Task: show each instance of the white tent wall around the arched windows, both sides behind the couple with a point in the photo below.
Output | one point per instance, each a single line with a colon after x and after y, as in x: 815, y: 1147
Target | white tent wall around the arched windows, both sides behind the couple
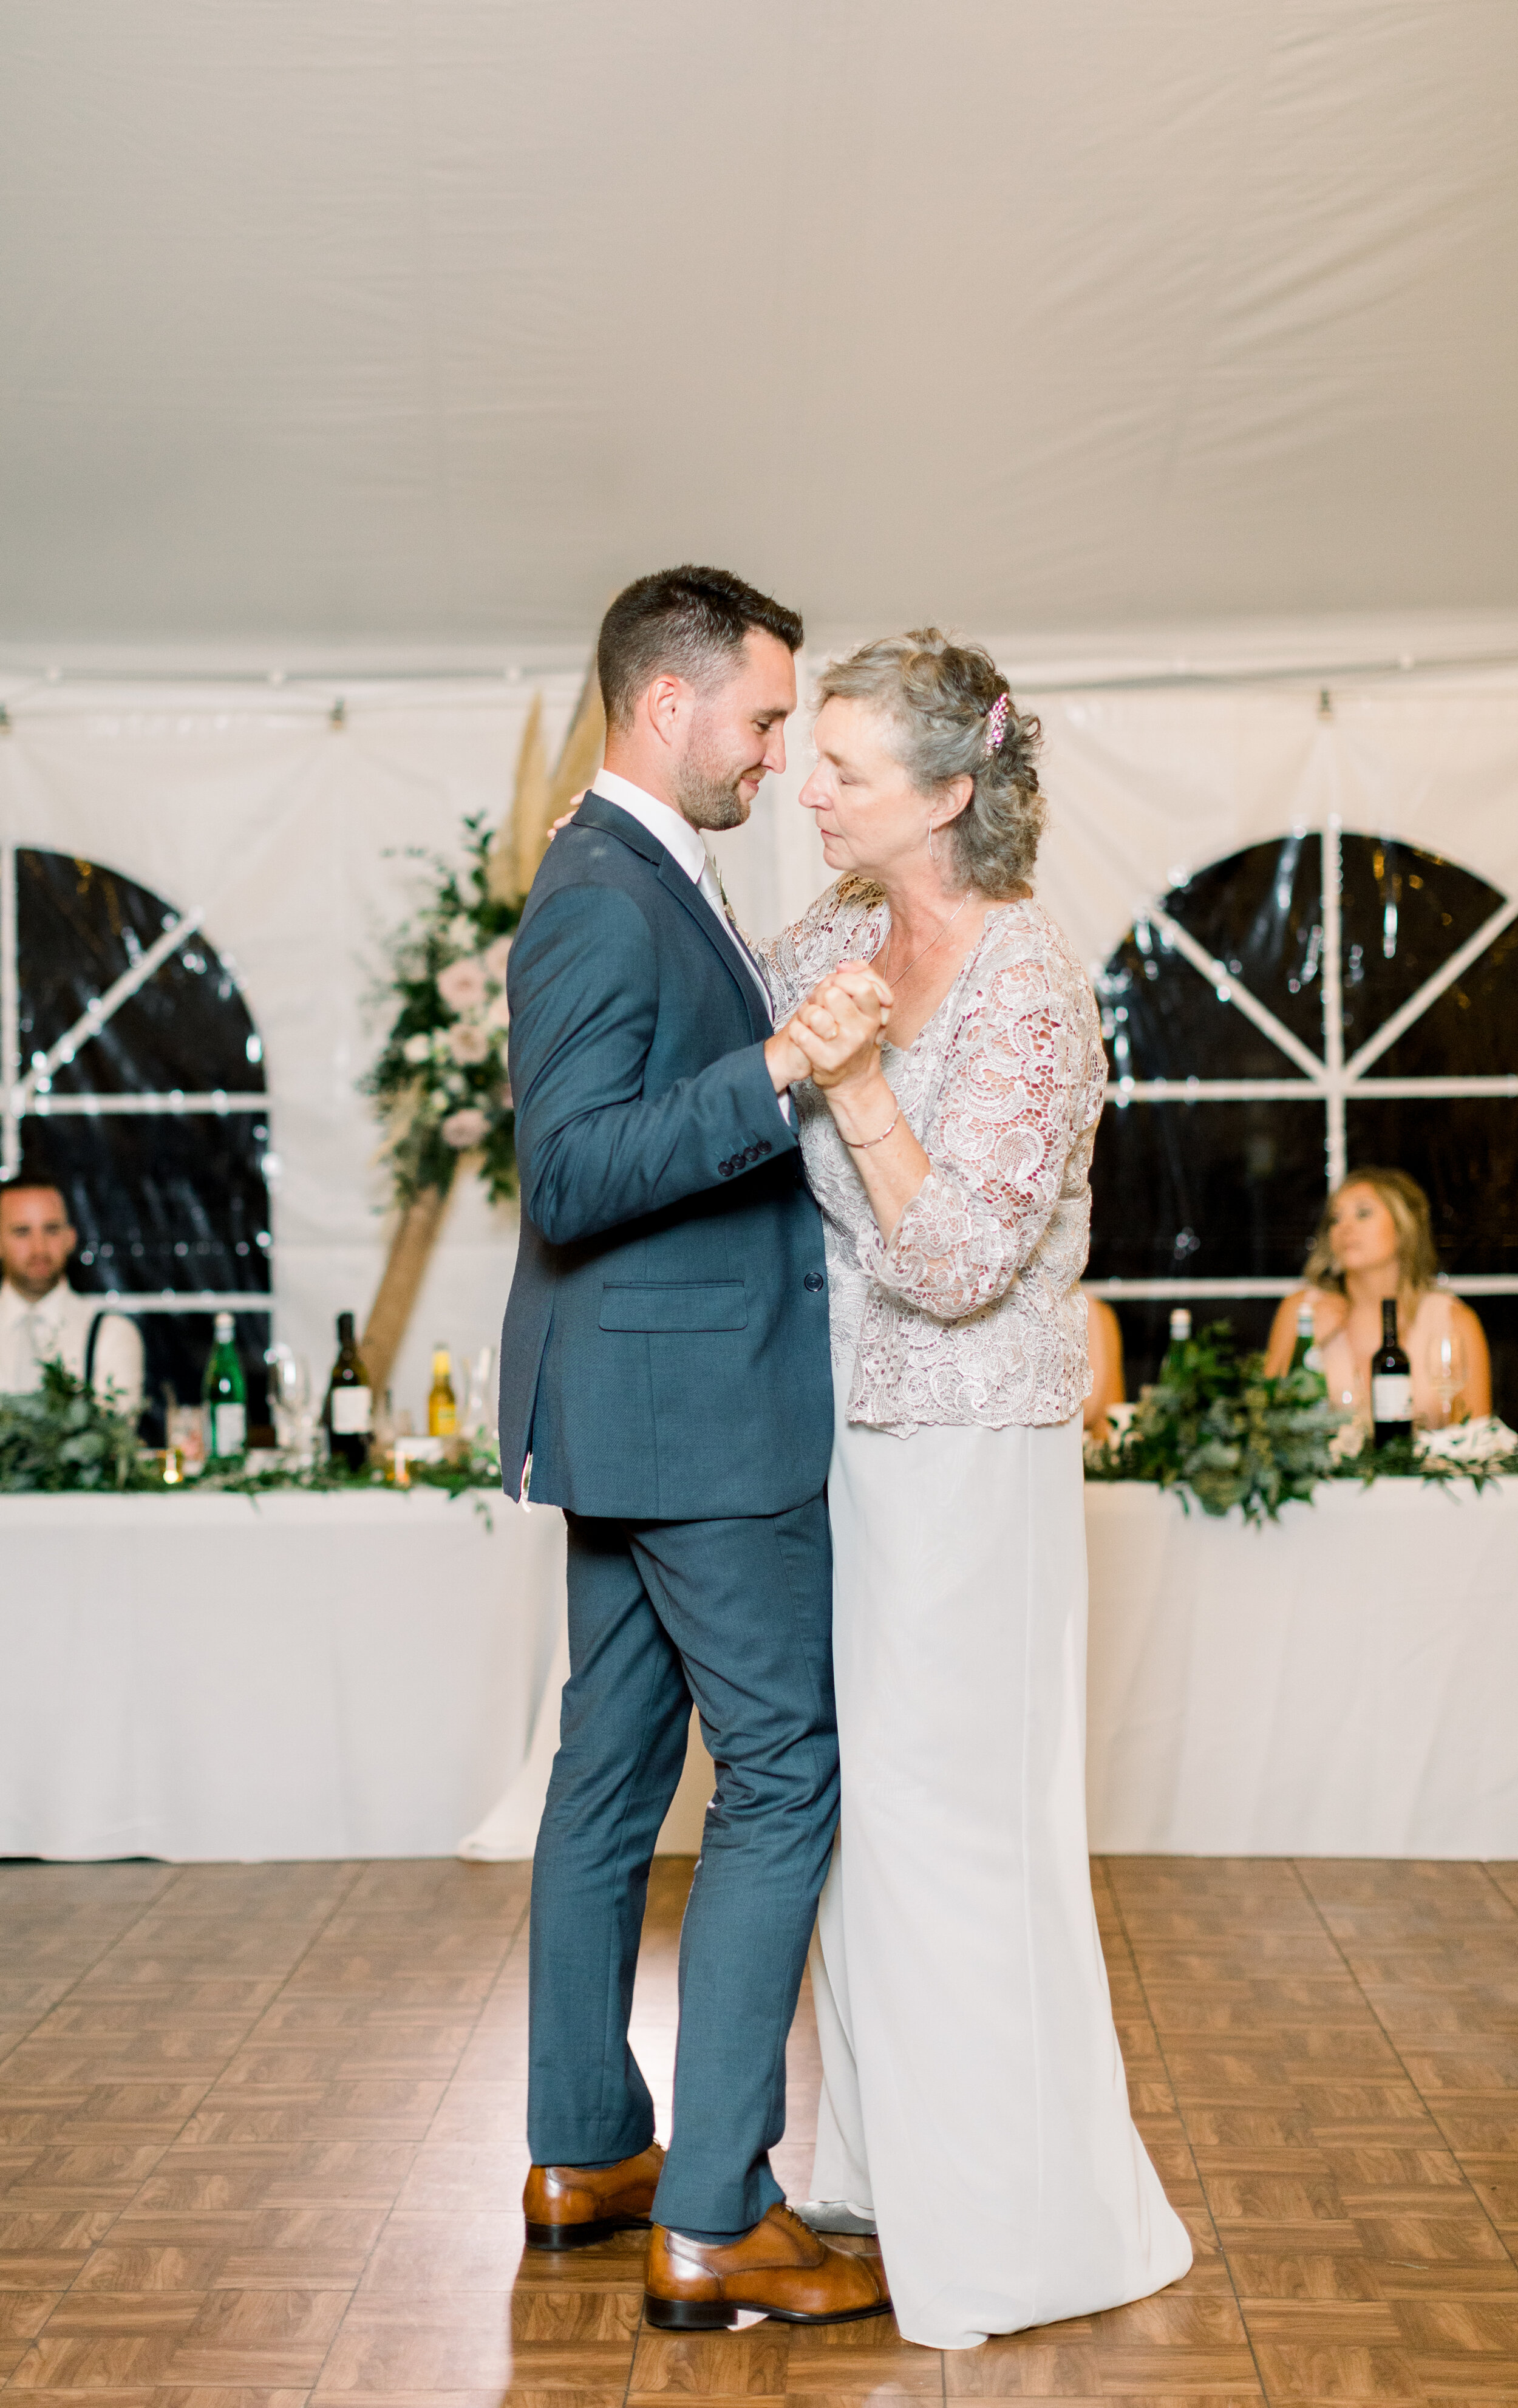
x: 290, y: 834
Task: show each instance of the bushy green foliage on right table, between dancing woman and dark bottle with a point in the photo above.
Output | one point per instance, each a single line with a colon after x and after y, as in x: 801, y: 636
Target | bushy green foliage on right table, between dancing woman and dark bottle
x: 1216, y: 1429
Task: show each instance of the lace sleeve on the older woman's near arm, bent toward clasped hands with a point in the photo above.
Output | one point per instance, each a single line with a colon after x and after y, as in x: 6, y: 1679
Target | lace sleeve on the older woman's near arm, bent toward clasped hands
x: 1020, y: 1102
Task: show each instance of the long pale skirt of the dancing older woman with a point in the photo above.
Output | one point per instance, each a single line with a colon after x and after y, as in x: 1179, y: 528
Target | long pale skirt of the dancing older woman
x: 972, y: 2077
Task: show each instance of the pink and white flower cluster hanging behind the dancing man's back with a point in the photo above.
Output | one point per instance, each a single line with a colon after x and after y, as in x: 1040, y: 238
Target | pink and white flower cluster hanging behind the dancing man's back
x: 442, y: 1073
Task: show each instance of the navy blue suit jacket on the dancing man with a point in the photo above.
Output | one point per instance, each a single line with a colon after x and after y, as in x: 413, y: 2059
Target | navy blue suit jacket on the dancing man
x: 666, y: 1345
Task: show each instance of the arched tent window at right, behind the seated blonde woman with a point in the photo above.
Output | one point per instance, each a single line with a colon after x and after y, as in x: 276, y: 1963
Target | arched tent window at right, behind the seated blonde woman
x: 1288, y: 1013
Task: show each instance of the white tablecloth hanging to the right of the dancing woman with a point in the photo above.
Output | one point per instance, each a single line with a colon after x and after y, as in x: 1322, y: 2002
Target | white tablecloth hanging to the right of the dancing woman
x: 1343, y: 1684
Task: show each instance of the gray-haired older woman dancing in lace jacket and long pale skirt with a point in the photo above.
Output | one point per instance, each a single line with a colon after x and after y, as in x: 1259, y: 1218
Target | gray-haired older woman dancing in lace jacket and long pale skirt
x: 975, y: 2099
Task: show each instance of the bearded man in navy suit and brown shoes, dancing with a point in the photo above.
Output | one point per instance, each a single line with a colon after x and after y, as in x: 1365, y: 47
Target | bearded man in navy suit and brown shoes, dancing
x: 666, y: 1381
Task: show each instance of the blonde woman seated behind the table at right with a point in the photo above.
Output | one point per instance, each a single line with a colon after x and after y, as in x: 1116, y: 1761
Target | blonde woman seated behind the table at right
x: 1377, y: 1241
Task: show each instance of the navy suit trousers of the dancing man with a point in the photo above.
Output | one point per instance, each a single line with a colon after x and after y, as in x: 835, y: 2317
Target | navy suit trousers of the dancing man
x: 739, y: 1617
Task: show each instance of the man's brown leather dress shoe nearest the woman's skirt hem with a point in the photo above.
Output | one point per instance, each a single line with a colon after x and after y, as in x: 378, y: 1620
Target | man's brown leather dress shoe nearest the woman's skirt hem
x: 779, y: 2270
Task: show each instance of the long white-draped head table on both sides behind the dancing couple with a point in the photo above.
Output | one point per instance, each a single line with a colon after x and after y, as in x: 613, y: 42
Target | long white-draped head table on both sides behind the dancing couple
x: 216, y: 1677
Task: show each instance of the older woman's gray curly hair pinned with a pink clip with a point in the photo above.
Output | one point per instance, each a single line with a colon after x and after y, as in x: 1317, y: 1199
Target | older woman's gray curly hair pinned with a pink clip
x: 939, y: 697
